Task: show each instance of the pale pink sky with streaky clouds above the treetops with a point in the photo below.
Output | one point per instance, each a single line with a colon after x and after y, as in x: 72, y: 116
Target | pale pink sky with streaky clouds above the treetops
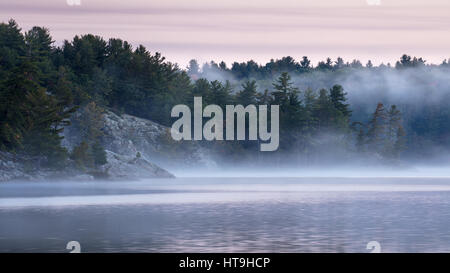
x: 240, y: 30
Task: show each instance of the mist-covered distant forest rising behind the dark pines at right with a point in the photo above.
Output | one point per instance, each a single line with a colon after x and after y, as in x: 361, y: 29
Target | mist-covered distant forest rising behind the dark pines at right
x: 419, y: 92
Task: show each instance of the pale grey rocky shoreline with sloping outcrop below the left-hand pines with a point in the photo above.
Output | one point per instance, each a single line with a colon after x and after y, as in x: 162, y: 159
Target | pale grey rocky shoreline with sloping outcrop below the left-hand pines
x: 136, y: 148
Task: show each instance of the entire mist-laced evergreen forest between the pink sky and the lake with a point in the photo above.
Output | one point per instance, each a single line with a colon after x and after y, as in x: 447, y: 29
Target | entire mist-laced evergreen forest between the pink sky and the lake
x: 330, y: 113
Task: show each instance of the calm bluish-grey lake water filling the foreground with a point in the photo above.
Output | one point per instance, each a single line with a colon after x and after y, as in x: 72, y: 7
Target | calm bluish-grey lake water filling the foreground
x: 227, y: 215
